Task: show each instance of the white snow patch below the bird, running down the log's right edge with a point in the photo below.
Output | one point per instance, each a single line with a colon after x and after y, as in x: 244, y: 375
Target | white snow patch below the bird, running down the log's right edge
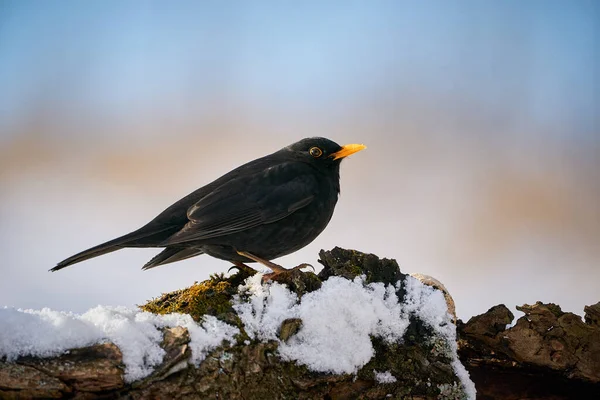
x: 339, y: 320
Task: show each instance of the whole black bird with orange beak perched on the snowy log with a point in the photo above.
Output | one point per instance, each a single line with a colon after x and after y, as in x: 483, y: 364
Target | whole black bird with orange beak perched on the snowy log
x: 260, y: 211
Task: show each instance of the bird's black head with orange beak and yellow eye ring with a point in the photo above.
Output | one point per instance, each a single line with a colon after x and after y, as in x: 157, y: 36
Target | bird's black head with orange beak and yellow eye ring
x: 322, y: 152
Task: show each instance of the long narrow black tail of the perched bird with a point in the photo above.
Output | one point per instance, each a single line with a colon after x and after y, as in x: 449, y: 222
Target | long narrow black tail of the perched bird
x: 139, y: 238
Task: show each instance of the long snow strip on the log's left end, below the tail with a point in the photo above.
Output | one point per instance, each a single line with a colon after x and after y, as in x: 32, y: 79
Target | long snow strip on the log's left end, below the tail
x: 46, y: 333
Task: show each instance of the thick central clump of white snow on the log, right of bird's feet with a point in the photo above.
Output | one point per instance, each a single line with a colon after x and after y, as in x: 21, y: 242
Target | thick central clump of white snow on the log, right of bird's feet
x: 338, y: 322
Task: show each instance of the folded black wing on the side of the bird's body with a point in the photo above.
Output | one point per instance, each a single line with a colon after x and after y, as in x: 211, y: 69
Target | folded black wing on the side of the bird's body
x: 249, y: 201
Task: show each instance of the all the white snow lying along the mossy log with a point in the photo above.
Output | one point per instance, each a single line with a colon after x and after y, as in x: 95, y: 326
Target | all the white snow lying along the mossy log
x: 338, y: 323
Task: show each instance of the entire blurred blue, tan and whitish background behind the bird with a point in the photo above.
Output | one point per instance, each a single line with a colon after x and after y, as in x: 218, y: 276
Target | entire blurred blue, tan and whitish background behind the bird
x: 481, y: 120
